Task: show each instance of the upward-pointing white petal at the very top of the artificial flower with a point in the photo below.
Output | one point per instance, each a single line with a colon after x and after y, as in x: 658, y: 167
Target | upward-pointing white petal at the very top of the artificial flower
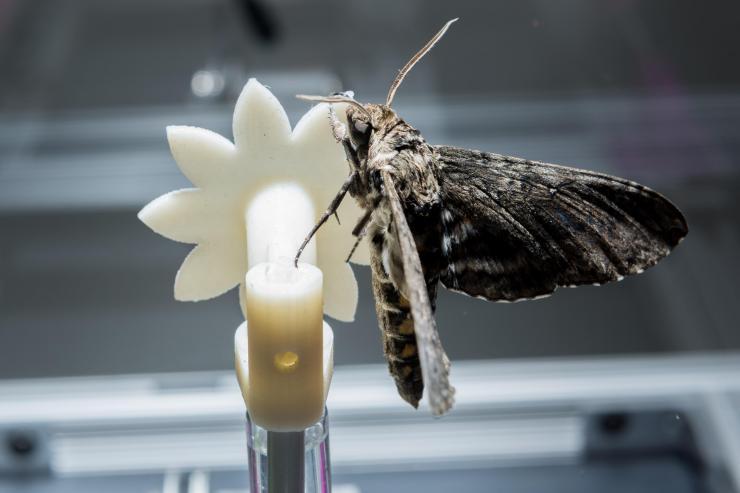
x: 260, y: 122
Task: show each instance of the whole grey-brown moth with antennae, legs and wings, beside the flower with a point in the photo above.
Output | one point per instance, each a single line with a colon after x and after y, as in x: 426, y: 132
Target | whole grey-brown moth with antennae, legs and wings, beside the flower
x: 496, y: 227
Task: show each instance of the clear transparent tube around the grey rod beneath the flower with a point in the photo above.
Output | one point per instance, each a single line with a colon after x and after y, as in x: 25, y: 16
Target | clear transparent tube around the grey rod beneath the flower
x: 274, y: 460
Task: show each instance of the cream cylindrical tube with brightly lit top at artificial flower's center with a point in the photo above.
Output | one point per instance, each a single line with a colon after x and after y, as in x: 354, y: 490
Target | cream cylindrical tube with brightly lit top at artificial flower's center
x: 284, y: 306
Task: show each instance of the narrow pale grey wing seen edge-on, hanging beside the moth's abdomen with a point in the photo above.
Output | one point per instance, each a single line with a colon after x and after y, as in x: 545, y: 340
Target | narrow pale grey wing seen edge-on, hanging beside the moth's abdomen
x: 434, y: 362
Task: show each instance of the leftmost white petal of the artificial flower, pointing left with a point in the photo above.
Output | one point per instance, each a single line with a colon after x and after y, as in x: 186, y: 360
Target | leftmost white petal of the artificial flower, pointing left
x: 181, y: 215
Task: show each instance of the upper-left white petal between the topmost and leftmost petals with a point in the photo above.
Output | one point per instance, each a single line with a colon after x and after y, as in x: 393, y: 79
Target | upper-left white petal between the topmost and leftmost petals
x: 203, y: 156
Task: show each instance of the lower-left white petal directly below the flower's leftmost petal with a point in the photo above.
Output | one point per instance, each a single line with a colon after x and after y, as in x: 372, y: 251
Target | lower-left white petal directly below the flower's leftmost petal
x: 210, y: 270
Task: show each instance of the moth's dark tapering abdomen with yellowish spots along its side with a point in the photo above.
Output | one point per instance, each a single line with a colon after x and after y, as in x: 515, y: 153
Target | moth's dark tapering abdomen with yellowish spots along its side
x: 397, y: 329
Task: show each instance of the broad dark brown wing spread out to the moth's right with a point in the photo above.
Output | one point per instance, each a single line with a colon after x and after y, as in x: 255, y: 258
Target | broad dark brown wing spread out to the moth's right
x: 517, y: 229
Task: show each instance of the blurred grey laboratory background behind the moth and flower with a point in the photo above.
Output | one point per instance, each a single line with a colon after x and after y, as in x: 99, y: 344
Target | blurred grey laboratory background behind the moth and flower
x: 108, y: 383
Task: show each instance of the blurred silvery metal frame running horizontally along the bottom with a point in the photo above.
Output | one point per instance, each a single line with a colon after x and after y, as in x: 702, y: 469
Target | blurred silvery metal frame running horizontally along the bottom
x: 508, y: 413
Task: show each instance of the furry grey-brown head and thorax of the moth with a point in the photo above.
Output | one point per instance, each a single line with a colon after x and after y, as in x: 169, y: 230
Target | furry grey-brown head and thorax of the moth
x: 395, y: 146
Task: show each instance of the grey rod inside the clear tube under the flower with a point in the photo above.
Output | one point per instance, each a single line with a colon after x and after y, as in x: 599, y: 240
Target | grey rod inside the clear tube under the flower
x: 285, y: 462
